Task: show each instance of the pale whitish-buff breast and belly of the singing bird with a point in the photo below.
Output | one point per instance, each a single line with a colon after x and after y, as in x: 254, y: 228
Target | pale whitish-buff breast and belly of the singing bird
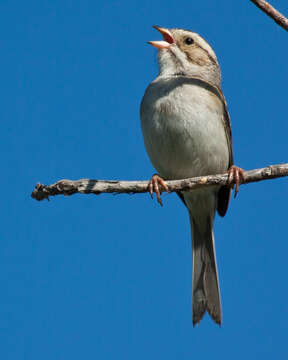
x: 182, y: 124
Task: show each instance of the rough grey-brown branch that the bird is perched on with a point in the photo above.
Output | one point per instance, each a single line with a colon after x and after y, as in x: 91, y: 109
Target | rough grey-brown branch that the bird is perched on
x: 87, y: 186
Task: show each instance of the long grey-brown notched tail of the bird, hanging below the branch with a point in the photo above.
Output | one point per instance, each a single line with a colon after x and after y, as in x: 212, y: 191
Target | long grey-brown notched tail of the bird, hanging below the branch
x: 205, y: 288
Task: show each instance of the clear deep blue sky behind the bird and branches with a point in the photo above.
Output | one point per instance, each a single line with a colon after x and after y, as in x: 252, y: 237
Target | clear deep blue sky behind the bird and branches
x: 109, y: 277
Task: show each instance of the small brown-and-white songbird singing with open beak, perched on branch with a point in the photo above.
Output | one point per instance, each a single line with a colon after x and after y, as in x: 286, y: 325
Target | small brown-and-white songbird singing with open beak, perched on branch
x: 187, y: 133
